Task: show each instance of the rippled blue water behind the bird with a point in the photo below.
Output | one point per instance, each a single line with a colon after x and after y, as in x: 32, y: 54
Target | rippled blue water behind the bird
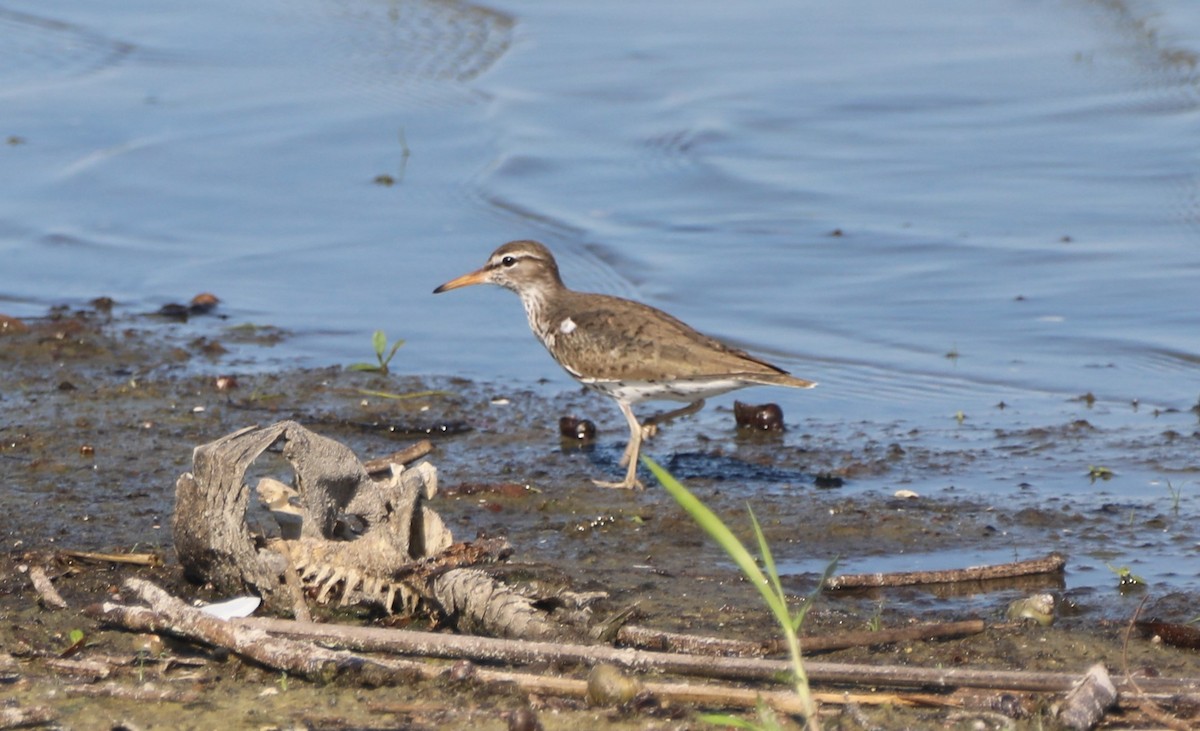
x: 929, y: 207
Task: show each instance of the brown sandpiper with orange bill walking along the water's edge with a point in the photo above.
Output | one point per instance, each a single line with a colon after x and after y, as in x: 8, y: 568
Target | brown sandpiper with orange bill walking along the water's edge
x: 626, y: 350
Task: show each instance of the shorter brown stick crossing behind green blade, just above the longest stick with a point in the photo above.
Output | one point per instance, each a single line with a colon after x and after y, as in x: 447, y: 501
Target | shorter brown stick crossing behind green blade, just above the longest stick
x: 663, y: 642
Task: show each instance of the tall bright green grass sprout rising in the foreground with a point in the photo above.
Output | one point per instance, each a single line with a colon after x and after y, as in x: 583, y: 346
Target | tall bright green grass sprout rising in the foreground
x: 770, y: 588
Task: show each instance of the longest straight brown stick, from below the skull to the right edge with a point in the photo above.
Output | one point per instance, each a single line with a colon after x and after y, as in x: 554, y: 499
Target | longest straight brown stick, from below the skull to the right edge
x: 398, y: 642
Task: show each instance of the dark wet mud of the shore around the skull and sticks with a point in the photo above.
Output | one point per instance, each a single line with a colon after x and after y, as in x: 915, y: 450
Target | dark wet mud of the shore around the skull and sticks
x: 101, y: 415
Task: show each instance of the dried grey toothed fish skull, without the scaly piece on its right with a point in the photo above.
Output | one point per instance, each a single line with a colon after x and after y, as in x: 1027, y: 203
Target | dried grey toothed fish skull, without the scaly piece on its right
x: 353, y: 531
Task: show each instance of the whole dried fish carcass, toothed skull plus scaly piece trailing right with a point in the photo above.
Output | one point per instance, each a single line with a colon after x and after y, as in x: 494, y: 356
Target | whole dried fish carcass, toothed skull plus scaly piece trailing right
x: 356, y: 534
